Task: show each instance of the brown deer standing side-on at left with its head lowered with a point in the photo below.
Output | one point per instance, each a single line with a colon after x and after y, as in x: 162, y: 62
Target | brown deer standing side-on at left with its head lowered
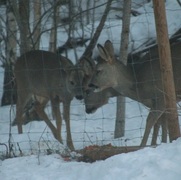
x: 44, y: 76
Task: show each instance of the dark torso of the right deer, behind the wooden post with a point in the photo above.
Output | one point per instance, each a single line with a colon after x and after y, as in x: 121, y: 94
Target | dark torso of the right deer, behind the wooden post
x: 147, y: 76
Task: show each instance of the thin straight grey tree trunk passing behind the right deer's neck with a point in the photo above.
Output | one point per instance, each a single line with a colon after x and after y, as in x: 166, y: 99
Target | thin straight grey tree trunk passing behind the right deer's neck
x: 121, y: 107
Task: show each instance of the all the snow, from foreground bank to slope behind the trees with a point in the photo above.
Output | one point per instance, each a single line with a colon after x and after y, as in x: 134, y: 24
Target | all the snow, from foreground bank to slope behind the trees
x: 160, y: 163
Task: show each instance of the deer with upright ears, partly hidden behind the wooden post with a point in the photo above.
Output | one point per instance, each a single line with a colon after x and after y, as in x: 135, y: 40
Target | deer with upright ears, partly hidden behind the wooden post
x: 139, y: 81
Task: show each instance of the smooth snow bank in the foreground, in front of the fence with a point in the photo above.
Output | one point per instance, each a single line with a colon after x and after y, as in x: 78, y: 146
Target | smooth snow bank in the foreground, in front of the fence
x: 161, y: 163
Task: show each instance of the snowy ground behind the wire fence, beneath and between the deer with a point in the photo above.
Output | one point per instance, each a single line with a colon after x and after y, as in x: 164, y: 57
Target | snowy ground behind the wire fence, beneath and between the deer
x: 86, y: 130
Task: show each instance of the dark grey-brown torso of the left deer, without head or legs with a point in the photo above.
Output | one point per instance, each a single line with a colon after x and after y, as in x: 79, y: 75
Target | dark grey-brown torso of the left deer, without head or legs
x: 45, y: 74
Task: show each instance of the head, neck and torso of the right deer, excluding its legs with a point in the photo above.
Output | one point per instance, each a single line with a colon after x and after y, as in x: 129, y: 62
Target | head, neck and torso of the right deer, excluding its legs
x: 140, y: 81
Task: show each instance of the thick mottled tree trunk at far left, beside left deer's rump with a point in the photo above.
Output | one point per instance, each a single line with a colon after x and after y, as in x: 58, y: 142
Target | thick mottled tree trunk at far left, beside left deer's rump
x: 9, y: 92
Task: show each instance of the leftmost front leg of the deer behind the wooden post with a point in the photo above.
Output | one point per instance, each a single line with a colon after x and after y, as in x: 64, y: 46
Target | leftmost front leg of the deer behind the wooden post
x: 152, y: 118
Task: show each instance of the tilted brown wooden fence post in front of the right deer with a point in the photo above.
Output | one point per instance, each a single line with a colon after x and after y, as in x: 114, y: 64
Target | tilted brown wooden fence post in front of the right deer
x: 166, y: 69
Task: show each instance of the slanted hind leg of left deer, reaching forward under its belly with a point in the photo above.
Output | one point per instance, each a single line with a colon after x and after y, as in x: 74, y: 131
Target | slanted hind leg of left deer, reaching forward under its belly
x: 40, y: 111
